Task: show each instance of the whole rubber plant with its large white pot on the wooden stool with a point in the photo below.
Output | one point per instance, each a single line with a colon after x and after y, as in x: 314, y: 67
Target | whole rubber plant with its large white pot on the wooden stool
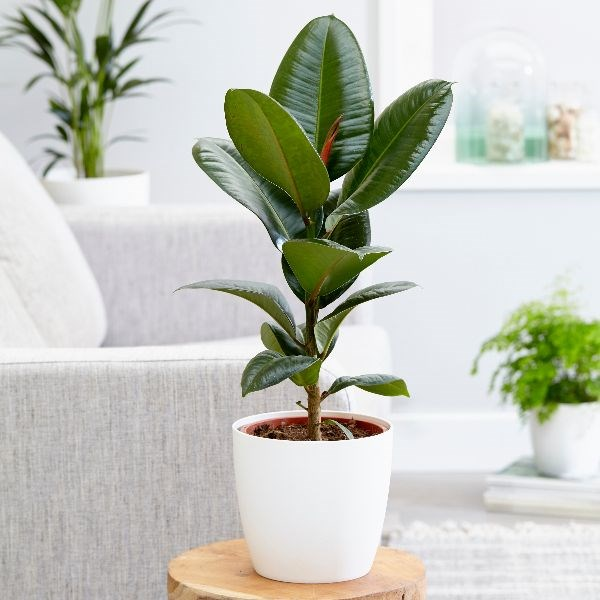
x: 312, y: 509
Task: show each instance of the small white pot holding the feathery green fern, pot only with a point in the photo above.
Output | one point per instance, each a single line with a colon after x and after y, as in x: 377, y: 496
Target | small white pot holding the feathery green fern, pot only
x: 567, y: 445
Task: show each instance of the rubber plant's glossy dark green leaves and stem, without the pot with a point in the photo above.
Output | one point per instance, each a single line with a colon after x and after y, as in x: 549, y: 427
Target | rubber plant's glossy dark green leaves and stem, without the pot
x: 315, y: 126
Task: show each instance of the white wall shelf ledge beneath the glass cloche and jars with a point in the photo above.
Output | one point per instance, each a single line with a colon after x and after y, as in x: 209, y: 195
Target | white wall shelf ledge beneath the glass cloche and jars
x: 550, y: 175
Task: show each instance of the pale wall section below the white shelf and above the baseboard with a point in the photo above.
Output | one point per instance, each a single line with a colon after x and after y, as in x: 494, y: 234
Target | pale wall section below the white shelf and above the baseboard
x: 476, y: 255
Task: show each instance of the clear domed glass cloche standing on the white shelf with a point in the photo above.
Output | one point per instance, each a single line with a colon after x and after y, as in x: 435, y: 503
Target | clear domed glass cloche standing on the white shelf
x: 501, y: 98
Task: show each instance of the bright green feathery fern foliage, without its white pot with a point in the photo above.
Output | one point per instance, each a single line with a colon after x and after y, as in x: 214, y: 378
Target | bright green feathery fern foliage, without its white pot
x: 551, y: 356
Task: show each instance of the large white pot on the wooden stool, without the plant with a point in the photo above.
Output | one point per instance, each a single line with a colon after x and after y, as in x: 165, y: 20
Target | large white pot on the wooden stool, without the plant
x: 312, y: 512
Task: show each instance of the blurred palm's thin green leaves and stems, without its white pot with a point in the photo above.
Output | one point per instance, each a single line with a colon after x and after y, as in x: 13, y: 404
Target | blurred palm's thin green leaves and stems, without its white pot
x: 86, y: 84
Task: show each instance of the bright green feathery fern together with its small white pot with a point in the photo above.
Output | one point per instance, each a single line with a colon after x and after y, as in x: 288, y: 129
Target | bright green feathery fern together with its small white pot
x: 551, y: 372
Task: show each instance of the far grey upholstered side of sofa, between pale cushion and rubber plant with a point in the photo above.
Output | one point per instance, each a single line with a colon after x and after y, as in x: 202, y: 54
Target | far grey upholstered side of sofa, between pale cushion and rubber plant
x: 140, y: 255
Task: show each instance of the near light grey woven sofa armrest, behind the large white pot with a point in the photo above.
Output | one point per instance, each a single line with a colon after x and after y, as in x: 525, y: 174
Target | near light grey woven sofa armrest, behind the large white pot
x: 115, y: 460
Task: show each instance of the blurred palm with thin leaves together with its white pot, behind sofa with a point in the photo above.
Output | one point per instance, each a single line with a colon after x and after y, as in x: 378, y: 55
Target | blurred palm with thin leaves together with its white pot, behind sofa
x: 86, y: 84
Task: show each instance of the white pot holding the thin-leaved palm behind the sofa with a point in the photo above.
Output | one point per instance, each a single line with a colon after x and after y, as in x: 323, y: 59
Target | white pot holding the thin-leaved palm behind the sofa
x: 117, y: 188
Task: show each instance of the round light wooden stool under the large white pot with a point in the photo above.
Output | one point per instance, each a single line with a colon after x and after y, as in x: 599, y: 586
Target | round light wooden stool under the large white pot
x: 223, y: 571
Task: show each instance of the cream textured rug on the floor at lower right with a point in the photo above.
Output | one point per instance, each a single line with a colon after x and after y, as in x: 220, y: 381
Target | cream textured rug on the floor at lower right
x: 484, y: 561
